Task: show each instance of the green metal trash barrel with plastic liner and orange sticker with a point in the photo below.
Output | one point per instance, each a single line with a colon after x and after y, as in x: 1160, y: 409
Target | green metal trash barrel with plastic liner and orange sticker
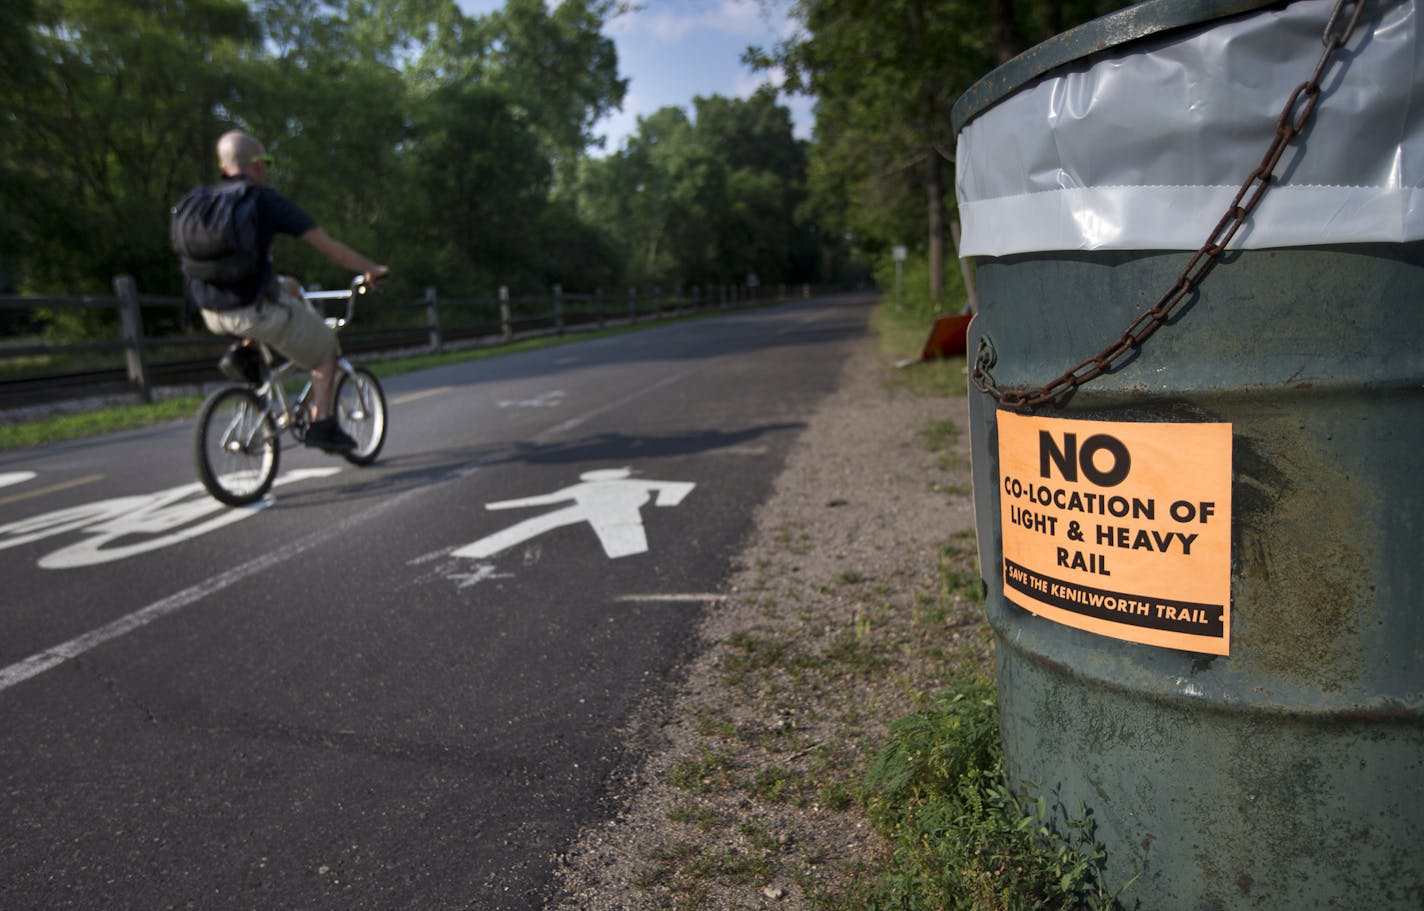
x: 1205, y: 567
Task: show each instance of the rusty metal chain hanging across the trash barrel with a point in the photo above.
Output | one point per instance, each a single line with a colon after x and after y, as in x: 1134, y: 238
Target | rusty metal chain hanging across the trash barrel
x: 1291, y: 123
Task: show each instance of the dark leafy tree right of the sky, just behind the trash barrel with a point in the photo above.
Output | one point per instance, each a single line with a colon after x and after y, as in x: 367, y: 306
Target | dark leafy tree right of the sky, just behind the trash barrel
x: 886, y: 75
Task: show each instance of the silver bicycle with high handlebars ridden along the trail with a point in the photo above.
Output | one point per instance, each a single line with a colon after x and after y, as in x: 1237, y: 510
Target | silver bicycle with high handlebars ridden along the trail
x: 237, y: 445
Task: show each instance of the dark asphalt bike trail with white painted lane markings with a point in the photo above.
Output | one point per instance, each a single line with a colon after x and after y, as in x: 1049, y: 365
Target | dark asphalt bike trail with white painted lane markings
x: 342, y: 700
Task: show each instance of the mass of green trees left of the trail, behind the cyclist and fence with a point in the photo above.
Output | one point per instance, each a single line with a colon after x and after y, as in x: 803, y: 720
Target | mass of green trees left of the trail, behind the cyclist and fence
x: 452, y: 147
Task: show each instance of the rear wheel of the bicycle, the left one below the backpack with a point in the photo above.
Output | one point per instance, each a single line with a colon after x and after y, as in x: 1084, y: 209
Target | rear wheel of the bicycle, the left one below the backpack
x: 236, y: 446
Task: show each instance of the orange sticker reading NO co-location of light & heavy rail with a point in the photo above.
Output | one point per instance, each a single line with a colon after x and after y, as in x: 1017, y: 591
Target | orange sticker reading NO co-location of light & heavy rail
x: 1120, y: 529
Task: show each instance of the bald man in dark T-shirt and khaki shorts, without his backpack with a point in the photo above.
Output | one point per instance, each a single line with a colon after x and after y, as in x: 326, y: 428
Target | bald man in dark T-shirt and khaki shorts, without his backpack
x: 267, y: 310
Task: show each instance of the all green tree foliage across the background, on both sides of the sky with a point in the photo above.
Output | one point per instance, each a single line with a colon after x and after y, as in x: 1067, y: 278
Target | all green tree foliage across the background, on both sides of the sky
x: 458, y: 149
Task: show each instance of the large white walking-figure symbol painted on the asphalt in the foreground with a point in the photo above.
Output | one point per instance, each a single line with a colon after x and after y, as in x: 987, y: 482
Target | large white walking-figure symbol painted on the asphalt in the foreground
x: 610, y: 500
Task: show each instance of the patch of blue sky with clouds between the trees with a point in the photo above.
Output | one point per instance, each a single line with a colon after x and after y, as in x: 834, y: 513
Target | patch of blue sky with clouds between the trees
x: 674, y: 51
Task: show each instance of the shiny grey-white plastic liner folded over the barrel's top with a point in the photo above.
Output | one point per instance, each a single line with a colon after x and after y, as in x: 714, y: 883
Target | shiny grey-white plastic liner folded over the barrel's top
x: 1146, y: 147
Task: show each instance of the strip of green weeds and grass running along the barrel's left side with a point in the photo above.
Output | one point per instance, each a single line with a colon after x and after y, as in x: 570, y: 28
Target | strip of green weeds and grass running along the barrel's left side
x: 958, y: 839
